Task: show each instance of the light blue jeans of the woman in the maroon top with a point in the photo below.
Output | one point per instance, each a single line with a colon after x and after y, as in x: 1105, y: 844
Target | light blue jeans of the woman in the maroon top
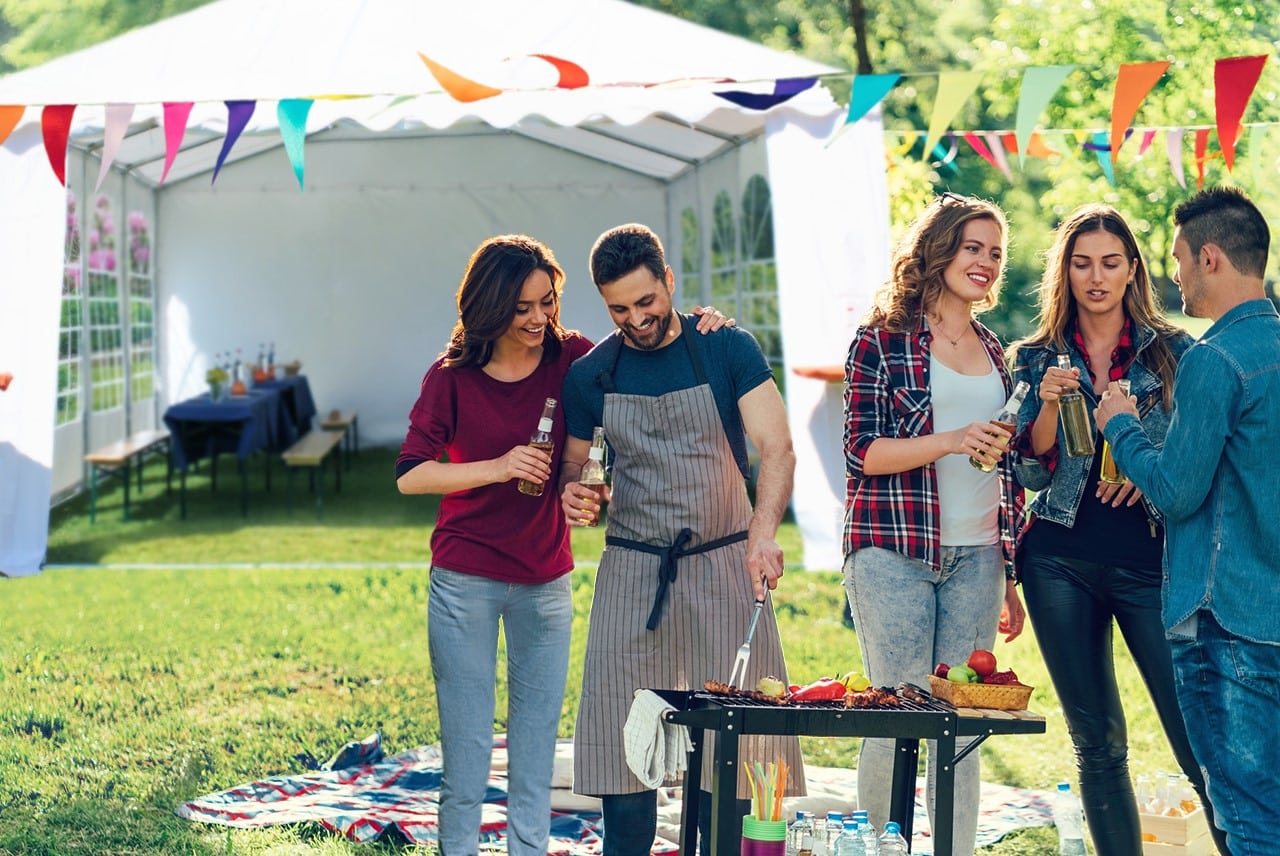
x: 463, y: 635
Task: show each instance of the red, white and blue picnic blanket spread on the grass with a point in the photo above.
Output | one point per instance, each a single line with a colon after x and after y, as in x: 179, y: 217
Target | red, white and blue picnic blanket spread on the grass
x: 364, y: 797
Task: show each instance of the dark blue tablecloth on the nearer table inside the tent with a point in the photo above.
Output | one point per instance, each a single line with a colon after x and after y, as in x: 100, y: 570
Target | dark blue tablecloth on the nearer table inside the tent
x: 203, y: 428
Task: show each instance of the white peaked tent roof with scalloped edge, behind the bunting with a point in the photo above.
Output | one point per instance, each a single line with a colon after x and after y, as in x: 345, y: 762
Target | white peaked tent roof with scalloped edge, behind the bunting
x: 650, y: 106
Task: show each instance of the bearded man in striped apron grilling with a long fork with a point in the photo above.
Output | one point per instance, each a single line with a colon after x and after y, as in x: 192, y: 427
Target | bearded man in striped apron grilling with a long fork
x: 687, y: 557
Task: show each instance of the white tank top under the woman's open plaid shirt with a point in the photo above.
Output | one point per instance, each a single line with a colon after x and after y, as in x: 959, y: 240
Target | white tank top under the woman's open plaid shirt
x: 970, y: 498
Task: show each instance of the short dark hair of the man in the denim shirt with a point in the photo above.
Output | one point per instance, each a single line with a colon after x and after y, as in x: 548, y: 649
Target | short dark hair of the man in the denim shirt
x: 1227, y: 218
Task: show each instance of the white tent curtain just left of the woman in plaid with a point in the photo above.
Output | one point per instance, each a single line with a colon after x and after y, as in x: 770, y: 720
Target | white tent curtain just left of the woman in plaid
x: 833, y: 248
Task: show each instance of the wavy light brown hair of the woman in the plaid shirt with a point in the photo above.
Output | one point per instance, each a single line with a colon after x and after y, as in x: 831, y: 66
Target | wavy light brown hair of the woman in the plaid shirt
x: 920, y: 260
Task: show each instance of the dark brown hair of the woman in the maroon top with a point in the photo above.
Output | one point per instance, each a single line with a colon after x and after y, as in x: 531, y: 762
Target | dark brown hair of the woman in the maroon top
x: 490, y: 292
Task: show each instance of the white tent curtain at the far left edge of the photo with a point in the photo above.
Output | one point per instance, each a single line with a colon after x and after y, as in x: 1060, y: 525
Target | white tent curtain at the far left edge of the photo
x: 31, y: 245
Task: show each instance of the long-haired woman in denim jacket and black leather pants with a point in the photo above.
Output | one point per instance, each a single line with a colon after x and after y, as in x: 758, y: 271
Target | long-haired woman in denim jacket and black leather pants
x: 1091, y: 552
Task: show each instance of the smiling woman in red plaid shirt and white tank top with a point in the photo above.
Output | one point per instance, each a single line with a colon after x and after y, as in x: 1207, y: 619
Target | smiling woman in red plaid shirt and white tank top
x: 929, y: 538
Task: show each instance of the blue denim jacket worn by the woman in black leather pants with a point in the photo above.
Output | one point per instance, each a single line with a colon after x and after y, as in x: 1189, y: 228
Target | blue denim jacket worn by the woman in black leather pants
x: 1063, y: 488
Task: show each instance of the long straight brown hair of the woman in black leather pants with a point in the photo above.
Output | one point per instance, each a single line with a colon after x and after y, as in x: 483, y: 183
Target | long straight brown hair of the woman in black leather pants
x: 1142, y: 305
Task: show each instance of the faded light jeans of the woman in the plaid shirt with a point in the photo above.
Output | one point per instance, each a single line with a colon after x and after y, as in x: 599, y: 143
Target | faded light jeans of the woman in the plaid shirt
x: 909, y: 619
